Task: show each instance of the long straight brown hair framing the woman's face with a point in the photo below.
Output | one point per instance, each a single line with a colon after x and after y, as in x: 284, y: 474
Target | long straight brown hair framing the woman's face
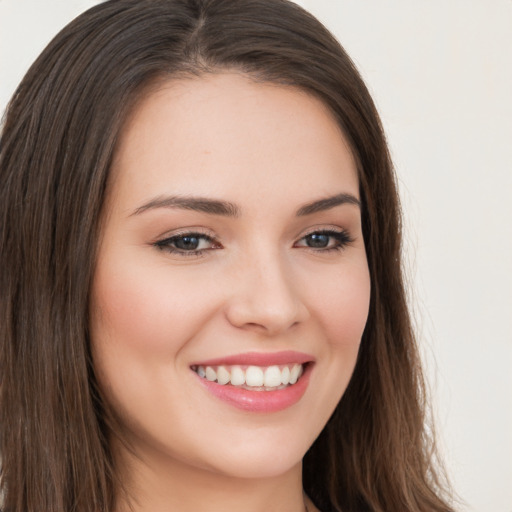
x: 58, y: 139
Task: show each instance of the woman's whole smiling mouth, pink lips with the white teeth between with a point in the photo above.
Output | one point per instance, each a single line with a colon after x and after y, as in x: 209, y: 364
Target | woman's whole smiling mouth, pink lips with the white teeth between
x: 257, y: 382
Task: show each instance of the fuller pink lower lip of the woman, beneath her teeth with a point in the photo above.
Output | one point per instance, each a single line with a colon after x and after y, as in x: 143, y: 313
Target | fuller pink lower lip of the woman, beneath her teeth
x: 260, y: 401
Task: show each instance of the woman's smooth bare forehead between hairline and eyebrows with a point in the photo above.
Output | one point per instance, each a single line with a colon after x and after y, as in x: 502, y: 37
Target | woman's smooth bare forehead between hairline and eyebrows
x: 224, y: 134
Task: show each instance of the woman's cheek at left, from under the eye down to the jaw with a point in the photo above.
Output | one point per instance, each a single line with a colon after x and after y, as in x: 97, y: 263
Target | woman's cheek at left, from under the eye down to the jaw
x: 142, y: 317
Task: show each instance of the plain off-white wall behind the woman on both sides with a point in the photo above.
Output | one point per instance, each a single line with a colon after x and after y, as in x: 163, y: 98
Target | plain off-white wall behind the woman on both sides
x: 441, y: 74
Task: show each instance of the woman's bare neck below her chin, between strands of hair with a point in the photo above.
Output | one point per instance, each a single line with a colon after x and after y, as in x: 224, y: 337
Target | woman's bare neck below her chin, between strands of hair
x: 168, y: 485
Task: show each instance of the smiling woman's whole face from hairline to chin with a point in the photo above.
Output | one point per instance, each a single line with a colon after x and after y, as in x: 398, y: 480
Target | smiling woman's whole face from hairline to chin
x: 232, y: 252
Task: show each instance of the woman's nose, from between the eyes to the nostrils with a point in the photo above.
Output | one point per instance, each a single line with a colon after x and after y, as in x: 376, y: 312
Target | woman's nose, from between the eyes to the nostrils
x: 264, y: 297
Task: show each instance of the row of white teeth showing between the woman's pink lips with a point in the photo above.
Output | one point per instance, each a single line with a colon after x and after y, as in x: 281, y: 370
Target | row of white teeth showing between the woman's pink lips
x: 252, y: 376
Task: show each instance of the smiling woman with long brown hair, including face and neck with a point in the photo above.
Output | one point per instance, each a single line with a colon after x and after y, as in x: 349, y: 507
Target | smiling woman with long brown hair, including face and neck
x: 202, y: 299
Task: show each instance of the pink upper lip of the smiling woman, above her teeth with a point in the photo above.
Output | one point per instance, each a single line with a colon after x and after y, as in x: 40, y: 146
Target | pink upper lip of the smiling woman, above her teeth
x: 259, y: 359
